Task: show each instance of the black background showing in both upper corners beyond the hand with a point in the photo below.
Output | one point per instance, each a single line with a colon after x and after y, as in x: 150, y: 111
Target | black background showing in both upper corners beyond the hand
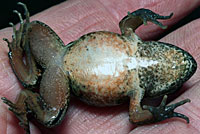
x: 35, y: 6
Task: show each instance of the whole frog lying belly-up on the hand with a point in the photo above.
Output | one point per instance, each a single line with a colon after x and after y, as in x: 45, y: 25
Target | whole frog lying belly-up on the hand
x: 100, y: 68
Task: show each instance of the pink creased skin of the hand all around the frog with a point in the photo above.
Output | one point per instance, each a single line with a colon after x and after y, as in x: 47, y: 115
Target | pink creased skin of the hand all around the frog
x: 74, y: 18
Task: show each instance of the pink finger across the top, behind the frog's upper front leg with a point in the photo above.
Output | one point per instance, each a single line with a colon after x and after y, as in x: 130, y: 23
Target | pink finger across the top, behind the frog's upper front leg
x: 72, y: 19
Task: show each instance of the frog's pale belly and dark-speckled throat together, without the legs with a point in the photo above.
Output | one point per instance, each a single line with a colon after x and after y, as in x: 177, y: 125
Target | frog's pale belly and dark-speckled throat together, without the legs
x: 105, y: 68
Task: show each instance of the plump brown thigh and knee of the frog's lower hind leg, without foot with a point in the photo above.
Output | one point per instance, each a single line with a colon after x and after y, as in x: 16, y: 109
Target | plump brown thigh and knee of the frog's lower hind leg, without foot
x: 55, y: 96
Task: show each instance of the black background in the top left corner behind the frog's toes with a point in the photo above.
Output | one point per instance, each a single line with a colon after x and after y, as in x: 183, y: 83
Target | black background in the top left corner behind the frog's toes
x: 34, y: 6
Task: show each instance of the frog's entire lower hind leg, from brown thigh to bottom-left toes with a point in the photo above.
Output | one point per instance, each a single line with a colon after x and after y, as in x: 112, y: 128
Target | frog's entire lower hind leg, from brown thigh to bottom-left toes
x: 50, y: 106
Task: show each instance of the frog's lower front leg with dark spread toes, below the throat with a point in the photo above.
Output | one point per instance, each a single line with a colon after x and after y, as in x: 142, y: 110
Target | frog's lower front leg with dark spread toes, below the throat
x: 150, y: 114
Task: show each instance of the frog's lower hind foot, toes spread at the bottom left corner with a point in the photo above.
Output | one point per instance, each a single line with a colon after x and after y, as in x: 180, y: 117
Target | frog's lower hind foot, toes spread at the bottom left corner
x: 20, y: 113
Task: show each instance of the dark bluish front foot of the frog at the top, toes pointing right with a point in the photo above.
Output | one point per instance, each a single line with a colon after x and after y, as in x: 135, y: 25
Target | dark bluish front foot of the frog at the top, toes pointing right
x: 148, y: 15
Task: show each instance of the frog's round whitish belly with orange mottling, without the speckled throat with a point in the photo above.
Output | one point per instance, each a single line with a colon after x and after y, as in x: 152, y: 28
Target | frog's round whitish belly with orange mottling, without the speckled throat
x: 101, y: 68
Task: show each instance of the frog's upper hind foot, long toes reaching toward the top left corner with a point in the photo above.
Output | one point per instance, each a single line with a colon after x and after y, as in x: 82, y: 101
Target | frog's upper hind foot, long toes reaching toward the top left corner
x: 20, y: 57
